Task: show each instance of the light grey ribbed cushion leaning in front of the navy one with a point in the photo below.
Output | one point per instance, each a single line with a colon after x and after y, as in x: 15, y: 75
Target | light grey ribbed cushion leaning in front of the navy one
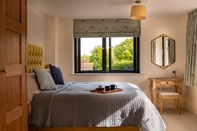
x: 44, y: 79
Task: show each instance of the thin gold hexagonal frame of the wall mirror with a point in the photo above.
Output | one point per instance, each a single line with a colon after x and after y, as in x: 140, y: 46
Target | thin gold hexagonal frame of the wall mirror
x: 162, y: 42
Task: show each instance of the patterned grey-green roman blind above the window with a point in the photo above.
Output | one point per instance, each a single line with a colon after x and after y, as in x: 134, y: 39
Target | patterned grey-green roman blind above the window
x: 106, y: 28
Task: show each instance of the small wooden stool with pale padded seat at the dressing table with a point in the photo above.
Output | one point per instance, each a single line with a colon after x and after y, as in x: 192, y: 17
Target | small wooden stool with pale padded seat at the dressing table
x: 176, y: 96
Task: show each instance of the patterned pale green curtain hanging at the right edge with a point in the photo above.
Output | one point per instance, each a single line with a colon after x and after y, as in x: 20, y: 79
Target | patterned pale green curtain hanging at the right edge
x: 190, y: 77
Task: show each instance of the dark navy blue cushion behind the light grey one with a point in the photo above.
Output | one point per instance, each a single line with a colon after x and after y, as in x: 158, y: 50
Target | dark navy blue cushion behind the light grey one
x: 56, y: 74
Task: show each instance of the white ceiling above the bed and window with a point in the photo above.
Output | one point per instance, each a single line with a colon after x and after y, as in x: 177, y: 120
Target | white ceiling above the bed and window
x: 93, y: 9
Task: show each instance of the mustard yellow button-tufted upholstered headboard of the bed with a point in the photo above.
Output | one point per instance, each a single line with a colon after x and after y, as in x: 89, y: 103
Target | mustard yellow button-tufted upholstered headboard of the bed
x: 34, y: 57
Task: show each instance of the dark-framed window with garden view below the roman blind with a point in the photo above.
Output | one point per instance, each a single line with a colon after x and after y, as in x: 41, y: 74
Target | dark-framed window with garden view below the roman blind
x: 107, y: 55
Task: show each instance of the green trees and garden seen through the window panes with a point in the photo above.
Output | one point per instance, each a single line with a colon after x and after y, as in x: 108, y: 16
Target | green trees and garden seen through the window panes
x: 121, y: 57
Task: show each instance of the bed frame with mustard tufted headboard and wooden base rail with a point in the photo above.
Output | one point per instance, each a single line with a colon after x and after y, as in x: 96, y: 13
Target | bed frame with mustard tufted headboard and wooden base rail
x: 35, y: 59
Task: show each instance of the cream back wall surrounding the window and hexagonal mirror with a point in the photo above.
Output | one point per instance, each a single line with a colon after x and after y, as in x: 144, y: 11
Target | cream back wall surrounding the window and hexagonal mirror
x: 59, y: 51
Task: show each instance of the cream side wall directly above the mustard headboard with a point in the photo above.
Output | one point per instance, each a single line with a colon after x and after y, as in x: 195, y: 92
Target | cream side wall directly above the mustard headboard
x: 35, y: 27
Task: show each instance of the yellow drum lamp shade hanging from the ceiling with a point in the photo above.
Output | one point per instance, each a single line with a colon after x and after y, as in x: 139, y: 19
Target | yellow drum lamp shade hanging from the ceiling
x: 138, y: 12
